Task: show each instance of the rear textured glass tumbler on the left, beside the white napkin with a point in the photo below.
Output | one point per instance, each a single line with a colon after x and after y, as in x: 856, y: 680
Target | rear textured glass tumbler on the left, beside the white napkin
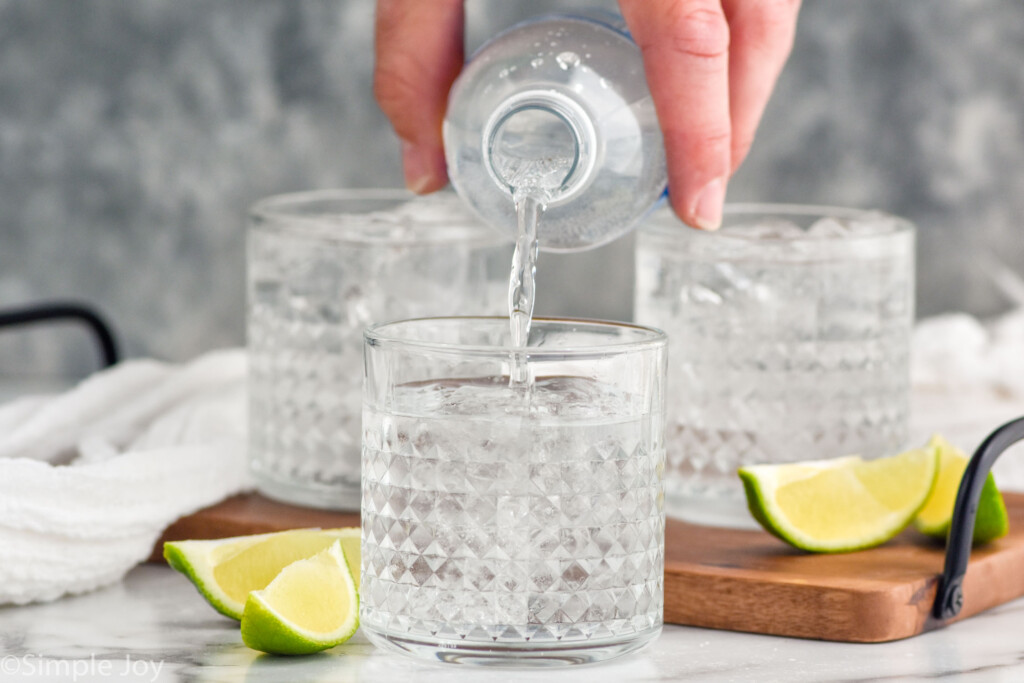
x: 322, y: 267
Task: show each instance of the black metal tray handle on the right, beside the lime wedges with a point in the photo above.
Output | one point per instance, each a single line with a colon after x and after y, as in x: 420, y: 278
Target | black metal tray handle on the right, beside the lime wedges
x: 950, y: 597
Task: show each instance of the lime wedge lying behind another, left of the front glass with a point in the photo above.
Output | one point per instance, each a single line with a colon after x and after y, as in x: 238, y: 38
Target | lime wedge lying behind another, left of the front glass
x: 227, y: 570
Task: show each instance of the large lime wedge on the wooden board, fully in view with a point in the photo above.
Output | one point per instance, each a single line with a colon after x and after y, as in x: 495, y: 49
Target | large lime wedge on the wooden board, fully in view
x: 835, y: 506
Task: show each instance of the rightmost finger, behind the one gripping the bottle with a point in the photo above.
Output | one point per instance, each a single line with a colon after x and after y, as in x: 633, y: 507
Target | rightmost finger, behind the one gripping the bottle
x: 761, y: 39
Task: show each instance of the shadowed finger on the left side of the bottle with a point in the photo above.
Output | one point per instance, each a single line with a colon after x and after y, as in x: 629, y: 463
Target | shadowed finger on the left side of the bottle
x: 419, y: 54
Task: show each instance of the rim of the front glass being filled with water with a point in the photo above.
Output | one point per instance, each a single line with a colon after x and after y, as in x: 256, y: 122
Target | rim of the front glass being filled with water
x: 377, y: 334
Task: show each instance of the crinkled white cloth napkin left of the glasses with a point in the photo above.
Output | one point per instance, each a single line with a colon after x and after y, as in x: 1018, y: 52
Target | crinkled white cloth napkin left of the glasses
x: 91, y: 479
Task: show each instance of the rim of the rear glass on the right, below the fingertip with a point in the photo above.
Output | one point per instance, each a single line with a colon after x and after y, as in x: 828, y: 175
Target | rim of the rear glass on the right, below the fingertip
x: 901, y: 226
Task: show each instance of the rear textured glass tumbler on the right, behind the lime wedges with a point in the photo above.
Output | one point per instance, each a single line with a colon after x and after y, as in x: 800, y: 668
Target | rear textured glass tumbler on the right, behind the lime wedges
x: 790, y: 335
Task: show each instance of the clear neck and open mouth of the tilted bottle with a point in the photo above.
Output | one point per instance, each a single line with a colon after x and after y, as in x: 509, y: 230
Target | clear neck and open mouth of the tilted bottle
x: 540, y: 141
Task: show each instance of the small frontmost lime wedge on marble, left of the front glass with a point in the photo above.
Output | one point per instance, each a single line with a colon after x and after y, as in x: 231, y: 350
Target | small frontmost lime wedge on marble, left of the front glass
x: 311, y: 607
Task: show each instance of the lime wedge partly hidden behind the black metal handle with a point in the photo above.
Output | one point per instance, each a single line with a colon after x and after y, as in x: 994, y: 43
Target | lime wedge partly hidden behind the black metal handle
x: 935, y: 518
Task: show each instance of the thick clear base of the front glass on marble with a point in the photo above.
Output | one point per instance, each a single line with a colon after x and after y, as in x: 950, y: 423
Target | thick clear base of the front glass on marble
x: 510, y: 656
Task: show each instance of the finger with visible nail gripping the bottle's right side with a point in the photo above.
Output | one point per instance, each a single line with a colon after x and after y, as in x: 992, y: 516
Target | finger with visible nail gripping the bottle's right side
x: 686, y: 47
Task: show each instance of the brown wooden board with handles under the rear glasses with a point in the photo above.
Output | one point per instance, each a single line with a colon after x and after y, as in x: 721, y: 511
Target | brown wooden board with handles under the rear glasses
x: 747, y: 581
